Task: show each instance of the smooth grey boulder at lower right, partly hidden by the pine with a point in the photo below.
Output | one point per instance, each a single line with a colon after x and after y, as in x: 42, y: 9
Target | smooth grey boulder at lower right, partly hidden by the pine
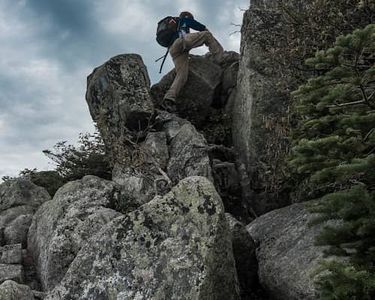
x: 286, y: 253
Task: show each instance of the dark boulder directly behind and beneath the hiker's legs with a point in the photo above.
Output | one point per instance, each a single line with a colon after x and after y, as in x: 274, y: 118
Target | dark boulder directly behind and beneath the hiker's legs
x: 198, y: 94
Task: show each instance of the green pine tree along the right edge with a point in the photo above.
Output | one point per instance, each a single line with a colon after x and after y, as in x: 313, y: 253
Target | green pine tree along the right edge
x: 333, y: 159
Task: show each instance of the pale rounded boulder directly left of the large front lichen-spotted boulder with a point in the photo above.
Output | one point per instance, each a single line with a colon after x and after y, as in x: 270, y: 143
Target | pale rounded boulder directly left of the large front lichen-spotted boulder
x: 62, y: 226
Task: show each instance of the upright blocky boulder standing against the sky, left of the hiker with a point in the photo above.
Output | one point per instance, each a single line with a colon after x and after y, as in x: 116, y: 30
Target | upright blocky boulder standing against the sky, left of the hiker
x: 119, y: 101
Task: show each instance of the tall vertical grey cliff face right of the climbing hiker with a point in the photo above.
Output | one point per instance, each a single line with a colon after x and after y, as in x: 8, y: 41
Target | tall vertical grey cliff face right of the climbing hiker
x: 261, y: 105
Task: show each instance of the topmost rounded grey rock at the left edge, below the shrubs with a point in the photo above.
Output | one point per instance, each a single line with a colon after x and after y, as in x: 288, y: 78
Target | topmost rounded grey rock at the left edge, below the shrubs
x: 19, y: 192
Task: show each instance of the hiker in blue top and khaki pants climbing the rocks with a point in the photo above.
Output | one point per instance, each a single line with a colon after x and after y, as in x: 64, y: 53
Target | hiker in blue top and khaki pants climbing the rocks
x: 181, y: 43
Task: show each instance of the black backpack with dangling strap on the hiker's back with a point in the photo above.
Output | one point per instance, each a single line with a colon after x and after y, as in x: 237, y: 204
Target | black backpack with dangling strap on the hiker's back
x: 165, y: 33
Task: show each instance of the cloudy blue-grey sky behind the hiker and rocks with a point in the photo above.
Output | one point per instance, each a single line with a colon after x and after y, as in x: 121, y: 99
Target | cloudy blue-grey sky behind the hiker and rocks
x: 48, y: 47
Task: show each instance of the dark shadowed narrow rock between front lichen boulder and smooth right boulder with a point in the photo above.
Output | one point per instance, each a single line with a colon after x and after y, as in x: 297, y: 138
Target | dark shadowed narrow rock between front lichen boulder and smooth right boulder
x: 244, y: 255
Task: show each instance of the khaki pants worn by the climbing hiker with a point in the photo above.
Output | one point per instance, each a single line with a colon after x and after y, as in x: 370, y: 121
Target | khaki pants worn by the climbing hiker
x: 180, y: 55
